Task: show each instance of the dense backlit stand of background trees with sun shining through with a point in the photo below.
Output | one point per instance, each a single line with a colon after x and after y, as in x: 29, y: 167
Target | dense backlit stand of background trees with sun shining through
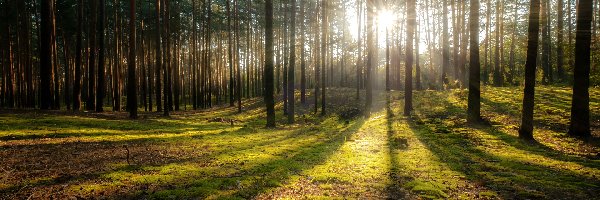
x: 207, y: 53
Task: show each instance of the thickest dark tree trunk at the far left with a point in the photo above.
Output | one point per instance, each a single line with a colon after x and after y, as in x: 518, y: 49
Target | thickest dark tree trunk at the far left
x: 47, y: 25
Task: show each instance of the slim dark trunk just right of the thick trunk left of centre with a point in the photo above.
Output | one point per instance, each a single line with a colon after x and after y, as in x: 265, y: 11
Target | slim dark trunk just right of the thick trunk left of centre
x: 292, y: 64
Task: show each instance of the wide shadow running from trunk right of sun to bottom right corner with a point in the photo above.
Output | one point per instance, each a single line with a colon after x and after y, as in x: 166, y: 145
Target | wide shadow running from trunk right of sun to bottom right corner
x: 508, y: 177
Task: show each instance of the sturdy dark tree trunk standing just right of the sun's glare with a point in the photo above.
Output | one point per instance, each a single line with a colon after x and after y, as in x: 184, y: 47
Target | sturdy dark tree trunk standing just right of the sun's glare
x: 411, y: 12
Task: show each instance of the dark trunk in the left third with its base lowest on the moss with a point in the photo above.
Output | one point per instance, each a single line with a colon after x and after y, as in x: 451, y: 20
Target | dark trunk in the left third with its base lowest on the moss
x: 131, y: 78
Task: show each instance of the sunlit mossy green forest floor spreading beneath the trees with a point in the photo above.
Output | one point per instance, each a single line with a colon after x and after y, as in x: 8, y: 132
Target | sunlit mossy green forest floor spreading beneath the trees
x: 219, y: 154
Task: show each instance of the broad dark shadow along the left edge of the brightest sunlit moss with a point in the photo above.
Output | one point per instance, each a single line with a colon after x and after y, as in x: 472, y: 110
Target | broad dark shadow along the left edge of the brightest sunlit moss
x: 250, y: 182
